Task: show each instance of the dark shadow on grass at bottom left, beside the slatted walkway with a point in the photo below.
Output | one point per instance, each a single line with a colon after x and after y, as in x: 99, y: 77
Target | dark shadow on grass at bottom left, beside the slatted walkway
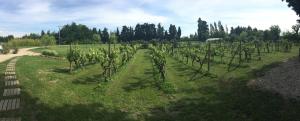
x: 34, y: 110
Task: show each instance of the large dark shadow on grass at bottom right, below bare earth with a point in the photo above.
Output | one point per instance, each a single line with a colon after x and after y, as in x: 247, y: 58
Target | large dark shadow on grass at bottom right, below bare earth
x: 228, y: 100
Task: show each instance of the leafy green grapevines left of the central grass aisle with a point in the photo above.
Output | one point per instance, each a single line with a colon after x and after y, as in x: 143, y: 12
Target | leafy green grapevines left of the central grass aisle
x: 110, y: 62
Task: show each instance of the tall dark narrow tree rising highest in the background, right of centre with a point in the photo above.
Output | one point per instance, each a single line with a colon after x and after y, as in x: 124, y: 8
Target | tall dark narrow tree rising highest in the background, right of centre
x: 202, y: 30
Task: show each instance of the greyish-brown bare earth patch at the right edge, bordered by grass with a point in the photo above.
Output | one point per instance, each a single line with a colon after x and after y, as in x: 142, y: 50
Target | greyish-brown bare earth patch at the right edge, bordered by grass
x: 284, y: 79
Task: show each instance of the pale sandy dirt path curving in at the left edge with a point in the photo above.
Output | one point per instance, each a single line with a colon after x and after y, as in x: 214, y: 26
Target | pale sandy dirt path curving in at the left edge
x: 22, y: 52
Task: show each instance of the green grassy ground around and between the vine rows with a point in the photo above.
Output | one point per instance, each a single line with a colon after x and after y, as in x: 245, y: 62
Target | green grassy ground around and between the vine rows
x: 50, y: 93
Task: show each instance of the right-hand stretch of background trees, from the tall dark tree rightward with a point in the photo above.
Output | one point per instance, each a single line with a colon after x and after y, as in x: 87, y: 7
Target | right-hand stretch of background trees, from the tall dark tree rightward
x: 217, y: 30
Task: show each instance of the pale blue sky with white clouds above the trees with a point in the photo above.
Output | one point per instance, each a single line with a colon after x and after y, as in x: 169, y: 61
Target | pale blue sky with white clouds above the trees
x: 20, y: 17
